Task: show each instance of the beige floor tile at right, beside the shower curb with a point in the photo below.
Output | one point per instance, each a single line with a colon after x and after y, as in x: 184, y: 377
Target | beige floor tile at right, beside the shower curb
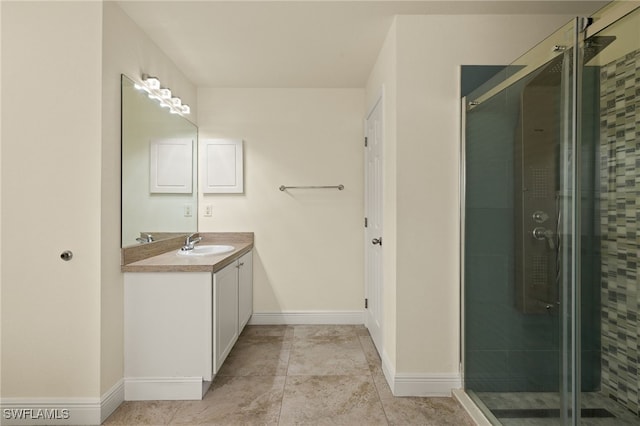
x: 406, y: 411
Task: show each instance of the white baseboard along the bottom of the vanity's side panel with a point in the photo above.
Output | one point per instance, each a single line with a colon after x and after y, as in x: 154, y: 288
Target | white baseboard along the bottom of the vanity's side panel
x: 162, y: 388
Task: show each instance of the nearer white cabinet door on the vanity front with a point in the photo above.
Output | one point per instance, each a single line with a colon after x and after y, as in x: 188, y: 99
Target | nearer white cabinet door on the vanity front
x: 225, y: 317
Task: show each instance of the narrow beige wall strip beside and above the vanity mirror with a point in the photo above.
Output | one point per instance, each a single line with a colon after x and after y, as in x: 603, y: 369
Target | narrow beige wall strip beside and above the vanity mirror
x: 125, y: 50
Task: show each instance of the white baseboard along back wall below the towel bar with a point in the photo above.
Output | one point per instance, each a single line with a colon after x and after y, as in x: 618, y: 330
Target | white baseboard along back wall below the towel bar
x: 307, y: 317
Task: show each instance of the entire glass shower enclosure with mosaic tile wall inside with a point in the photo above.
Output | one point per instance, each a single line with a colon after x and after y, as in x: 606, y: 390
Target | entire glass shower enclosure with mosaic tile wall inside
x: 550, y: 189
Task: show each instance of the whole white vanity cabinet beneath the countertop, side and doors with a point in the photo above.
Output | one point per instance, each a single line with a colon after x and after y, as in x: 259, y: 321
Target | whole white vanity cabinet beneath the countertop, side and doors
x: 181, y: 326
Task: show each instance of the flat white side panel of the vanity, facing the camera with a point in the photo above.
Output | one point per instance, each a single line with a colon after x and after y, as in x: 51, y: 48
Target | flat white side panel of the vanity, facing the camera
x: 167, y: 335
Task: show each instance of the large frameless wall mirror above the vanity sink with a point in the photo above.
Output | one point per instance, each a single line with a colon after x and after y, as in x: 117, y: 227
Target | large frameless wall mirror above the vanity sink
x: 159, y: 168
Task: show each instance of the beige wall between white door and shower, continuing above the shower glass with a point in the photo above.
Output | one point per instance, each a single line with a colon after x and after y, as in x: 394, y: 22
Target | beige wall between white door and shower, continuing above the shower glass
x: 428, y: 53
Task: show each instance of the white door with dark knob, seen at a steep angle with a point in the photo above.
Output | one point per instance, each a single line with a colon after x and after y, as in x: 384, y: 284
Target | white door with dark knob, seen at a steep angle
x: 373, y: 223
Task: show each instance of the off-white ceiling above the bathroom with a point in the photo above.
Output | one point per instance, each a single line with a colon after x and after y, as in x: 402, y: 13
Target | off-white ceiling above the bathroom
x: 296, y: 44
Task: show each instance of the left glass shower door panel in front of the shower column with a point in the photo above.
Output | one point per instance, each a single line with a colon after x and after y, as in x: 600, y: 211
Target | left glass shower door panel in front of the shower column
x: 519, y: 210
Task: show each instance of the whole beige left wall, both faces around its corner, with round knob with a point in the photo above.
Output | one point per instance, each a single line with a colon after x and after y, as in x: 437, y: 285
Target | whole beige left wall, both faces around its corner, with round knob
x: 62, y: 328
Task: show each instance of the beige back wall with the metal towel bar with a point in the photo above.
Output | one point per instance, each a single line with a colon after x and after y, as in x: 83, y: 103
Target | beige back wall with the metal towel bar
x: 309, y: 243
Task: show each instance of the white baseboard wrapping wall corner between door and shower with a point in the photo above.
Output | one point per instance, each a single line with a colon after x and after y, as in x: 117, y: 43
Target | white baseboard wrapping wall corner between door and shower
x: 434, y: 384
